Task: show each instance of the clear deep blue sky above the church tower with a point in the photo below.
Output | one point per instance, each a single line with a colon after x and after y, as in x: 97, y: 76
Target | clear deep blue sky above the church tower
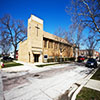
x: 51, y: 11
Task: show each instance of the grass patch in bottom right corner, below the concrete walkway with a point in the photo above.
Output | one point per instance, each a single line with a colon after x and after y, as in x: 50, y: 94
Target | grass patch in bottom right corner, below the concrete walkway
x: 88, y: 94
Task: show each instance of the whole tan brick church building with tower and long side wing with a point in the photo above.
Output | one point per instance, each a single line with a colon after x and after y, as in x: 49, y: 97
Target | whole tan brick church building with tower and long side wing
x: 41, y: 45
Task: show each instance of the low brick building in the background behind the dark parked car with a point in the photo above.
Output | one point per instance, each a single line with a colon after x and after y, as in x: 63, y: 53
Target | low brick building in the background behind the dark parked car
x: 88, y: 53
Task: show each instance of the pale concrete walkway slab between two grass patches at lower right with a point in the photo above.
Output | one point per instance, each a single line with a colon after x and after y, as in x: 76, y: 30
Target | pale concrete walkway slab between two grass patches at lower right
x: 93, y: 84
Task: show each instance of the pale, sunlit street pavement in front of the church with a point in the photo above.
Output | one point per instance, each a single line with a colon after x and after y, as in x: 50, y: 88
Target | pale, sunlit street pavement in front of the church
x: 47, y: 83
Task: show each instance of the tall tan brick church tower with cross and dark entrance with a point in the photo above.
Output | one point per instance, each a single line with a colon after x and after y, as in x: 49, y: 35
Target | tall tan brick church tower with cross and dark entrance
x: 35, y: 38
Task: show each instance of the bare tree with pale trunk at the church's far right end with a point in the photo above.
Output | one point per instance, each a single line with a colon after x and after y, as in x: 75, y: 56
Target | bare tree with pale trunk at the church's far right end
x: 75, y: 36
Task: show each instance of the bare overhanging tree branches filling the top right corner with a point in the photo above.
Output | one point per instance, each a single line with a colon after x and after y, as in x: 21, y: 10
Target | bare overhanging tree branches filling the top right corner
x: 87, y: 13
